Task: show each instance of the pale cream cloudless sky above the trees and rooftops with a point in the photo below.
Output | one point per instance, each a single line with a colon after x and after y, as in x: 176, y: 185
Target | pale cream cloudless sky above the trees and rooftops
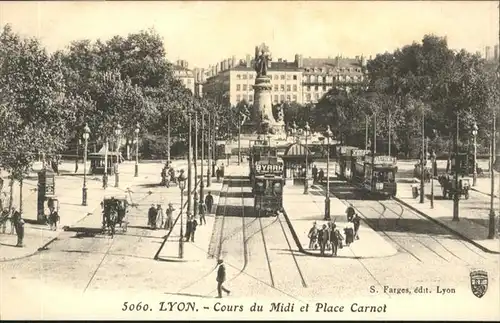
x: 205, y: 32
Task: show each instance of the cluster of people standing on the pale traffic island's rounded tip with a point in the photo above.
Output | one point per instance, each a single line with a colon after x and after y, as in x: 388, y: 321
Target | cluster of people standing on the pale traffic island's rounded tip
x: 329, y: 237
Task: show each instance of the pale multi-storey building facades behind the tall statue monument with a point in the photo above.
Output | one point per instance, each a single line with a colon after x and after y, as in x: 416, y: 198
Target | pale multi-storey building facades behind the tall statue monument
x: 304, y: 80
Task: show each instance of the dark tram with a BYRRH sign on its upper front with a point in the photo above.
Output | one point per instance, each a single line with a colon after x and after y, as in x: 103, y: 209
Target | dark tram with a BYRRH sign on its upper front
x: 267, y: 186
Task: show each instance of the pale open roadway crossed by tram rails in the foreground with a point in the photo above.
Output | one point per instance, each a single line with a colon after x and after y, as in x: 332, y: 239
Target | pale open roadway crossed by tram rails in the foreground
x: 261, y: 258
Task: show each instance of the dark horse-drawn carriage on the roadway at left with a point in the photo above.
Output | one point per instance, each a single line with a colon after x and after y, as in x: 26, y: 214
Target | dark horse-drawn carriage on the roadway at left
x: 114, y: 212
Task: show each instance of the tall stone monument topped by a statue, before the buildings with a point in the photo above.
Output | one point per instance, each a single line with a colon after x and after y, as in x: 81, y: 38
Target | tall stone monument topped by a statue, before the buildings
x: 262, y: 120
